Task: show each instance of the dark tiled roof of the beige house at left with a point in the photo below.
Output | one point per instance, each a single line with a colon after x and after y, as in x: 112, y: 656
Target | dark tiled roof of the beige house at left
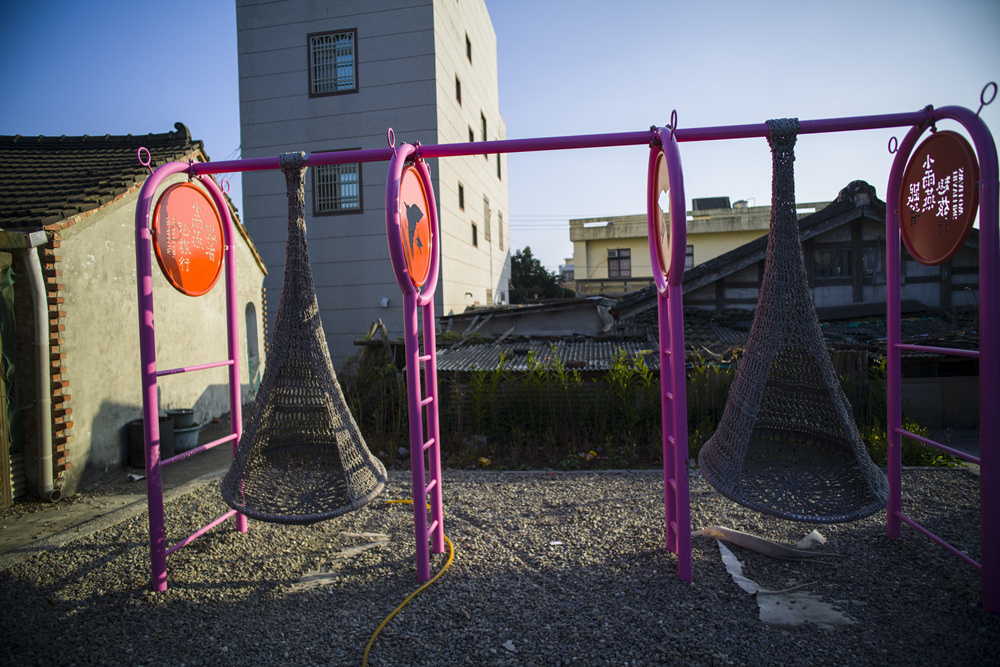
x: 44, y: 180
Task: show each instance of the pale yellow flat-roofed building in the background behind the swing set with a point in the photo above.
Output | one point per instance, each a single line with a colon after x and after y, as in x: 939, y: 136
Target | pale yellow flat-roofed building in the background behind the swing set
x: 611, y: 255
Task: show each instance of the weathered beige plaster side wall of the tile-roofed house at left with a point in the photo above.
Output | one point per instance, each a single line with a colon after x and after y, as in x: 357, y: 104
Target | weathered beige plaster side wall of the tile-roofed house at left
x: 102, y: 340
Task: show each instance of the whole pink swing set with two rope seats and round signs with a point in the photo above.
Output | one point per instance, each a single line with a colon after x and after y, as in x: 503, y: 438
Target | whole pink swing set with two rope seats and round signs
x: 786, y: 444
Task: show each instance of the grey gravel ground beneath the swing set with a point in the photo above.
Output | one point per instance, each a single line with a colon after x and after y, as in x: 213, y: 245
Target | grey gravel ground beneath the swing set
x: 606, y: 594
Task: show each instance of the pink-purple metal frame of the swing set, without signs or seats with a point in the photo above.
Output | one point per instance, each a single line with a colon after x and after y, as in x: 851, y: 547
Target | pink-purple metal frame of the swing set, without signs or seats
x: 670, y: 309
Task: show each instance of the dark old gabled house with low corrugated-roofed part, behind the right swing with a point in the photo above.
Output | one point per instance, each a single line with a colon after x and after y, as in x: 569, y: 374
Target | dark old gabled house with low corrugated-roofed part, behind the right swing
x: 844, y: 252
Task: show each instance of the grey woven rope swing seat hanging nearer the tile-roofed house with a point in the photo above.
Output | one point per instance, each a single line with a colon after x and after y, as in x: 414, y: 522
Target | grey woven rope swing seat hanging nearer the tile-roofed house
x: 301, y: 458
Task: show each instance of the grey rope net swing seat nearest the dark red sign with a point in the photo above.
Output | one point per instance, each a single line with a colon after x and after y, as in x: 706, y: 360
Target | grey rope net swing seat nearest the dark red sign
x: 787, y: 444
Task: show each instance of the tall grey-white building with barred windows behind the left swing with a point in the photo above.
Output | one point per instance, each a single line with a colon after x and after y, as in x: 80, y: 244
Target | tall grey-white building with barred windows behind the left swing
x: 321, y: 76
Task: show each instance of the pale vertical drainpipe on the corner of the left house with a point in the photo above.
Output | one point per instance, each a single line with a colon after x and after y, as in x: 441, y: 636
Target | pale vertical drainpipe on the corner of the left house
x: 44, y: 378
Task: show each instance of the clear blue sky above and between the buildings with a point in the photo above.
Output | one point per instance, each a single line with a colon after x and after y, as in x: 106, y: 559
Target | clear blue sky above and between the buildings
x: 566, y: 67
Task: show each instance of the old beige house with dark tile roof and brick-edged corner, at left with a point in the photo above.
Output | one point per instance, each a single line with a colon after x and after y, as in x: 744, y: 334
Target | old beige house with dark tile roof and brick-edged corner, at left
x: 67, y: 231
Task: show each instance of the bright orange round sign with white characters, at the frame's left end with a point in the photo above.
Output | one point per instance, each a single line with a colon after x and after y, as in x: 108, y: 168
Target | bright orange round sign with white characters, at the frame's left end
x: 188, y: 239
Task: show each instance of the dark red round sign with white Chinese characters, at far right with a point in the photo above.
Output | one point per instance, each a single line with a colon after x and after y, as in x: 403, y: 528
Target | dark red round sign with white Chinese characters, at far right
x: 939, y: 197
